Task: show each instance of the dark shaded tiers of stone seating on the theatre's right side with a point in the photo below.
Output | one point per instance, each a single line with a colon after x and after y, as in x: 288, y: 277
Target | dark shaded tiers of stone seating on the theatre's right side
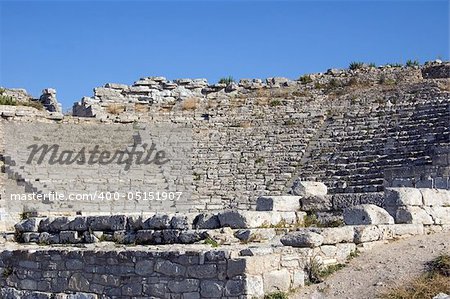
x: 357, y: 147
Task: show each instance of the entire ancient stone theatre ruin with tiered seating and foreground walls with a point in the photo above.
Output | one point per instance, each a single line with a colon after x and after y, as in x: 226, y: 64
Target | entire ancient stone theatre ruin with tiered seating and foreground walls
x: 283, y: 174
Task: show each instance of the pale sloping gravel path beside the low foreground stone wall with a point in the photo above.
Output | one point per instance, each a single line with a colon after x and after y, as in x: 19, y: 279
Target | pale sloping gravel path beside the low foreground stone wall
x: 376, y: 270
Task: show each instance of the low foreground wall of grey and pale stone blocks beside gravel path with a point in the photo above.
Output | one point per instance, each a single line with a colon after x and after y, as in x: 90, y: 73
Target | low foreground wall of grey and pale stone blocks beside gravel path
x: 257, y: 252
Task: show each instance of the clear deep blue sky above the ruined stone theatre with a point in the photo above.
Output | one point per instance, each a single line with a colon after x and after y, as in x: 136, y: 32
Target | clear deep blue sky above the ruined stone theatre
x: 74, y: 46
